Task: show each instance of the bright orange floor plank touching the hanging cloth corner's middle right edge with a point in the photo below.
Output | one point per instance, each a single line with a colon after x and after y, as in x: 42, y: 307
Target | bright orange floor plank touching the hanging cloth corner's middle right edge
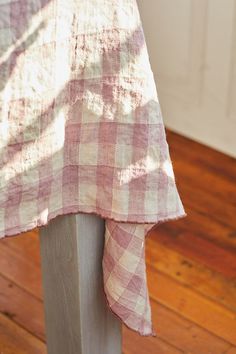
x: 191, y: 305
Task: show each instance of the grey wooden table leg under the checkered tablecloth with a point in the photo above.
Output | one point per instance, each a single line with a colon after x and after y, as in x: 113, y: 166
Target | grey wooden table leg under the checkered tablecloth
x: 77, y: 318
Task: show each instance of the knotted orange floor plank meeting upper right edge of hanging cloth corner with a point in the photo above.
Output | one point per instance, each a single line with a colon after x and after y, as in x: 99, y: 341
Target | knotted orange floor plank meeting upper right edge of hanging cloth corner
x: 196, y: 276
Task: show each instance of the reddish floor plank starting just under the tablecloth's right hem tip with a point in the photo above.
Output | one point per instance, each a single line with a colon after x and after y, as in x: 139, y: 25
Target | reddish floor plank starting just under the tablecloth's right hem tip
x: 193, y: 246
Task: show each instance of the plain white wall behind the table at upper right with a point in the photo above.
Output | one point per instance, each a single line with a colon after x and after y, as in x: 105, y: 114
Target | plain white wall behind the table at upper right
x: 192, y: 51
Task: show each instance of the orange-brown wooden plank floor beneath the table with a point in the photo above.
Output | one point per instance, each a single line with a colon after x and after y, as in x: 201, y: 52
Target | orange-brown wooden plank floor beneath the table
x: 191, y: 267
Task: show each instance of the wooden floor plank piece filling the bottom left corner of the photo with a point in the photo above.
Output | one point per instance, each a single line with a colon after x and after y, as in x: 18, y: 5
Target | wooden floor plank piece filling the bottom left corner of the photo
x: 16, y: 340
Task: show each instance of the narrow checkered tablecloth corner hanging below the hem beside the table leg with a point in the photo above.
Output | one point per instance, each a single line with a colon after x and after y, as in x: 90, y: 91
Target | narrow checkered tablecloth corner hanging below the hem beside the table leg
x: 124, y: 274
